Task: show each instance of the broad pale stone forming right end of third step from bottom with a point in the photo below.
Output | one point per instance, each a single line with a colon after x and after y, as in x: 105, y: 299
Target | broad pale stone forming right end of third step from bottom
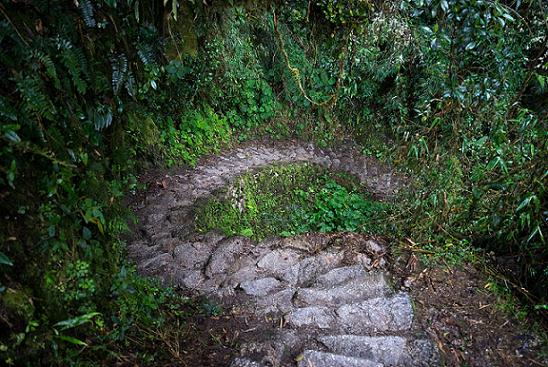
x: 377, y: 314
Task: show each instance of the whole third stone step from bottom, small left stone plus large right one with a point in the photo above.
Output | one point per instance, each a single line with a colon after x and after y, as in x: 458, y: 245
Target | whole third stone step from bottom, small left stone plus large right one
x: 392, y: 313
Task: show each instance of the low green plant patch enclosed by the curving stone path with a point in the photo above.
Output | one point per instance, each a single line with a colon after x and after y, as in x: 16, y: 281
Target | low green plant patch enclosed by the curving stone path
x: 290, y: 200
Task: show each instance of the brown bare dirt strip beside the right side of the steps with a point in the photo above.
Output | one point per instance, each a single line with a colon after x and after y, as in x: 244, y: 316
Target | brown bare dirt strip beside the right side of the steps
x: 463, y: 318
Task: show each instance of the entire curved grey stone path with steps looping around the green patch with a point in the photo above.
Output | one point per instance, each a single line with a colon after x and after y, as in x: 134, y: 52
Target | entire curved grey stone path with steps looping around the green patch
x: 310, y: 301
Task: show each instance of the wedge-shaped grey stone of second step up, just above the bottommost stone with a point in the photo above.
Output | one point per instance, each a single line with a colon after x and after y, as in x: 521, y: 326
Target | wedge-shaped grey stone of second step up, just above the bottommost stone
x: 388, y: 350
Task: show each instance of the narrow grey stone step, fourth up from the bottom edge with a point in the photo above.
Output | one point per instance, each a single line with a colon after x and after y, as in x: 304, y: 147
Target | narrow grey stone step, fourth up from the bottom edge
x: 353, y: 290
